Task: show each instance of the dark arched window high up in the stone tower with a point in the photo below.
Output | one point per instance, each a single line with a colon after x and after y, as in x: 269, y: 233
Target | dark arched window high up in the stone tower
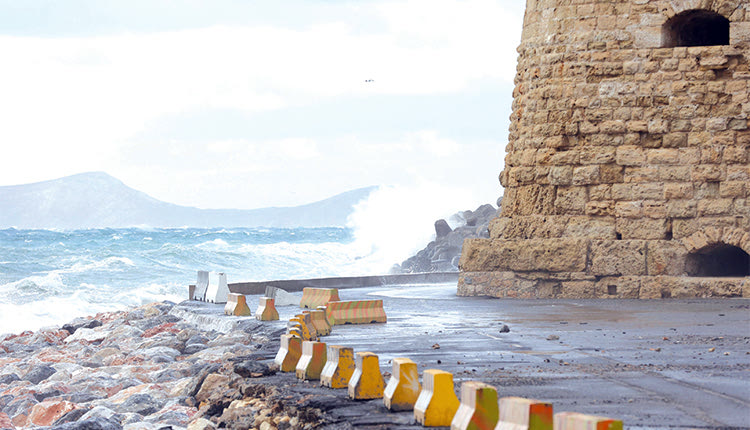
x: 696, y: 27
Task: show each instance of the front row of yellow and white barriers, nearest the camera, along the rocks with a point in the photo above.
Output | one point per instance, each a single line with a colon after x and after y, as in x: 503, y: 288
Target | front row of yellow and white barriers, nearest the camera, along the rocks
x: 434, y: 402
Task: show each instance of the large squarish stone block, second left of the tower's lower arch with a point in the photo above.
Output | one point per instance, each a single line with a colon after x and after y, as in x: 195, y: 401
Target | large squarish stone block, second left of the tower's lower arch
x: 620, y: 257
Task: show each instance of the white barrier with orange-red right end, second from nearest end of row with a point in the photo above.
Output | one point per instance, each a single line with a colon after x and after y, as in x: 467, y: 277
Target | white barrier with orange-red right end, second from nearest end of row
x: 517, y: 413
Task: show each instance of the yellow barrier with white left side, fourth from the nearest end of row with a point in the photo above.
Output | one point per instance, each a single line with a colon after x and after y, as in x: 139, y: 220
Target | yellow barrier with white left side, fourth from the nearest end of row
x: 437, y: 402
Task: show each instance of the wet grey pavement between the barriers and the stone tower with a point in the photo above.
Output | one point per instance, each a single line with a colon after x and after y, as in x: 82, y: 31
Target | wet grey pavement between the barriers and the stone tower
x: 652, y: 363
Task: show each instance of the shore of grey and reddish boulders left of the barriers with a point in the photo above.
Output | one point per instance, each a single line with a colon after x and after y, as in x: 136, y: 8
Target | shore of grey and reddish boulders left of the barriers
x: 148, y: 368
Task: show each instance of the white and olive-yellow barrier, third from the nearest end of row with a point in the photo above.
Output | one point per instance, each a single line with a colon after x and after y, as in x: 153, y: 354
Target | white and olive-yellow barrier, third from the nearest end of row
x: 478, y: 408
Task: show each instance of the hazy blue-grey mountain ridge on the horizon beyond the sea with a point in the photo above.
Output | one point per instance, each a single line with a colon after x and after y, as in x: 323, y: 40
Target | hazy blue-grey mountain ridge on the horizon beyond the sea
x: 97, y: 200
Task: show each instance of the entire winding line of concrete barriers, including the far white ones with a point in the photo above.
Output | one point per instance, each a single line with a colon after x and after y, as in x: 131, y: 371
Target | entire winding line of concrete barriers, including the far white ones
x: 434, y: 402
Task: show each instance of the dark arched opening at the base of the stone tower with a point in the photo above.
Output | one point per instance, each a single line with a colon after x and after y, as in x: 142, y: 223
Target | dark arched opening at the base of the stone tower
x: 719, y: 260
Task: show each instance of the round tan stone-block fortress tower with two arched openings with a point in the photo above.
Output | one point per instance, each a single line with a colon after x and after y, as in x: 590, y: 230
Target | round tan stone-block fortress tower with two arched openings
x: 627, y: 172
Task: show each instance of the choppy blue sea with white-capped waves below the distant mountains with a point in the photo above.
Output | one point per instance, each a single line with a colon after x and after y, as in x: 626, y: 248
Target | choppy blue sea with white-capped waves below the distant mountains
x: 49, y: 277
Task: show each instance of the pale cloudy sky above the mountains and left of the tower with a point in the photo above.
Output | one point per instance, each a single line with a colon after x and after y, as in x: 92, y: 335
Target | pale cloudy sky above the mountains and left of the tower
x: 247, y: 104
